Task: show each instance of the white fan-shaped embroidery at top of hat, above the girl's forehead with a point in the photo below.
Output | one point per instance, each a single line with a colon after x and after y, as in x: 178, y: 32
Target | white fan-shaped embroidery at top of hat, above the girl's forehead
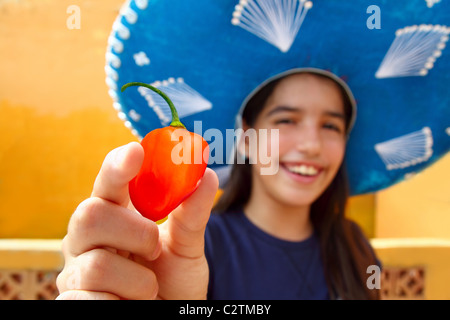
x: 274, y: 21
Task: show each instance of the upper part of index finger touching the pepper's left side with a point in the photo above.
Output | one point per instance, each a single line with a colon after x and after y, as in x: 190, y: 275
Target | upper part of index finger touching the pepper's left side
x: 119, y: 167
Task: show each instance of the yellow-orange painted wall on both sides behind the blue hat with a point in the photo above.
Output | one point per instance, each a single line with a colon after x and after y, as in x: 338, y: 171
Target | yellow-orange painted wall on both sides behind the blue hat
x: 57, y: 124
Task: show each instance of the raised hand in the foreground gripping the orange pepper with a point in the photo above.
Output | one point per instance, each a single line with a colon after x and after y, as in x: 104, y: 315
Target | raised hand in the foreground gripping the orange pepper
x: 112, y: 252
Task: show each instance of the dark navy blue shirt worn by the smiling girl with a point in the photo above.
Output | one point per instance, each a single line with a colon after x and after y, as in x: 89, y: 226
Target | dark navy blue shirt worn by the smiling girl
x: 247, y: 263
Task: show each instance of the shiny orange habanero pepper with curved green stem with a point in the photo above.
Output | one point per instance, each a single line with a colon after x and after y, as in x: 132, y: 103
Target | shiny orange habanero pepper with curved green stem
x: 164, y: 182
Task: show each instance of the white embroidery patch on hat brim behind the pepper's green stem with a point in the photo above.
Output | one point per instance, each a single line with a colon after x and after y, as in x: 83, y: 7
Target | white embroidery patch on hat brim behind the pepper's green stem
x: 186, y: 100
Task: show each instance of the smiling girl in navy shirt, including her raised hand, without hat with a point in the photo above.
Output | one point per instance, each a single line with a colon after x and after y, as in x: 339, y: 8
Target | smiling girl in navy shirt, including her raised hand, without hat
x: 277, y: 236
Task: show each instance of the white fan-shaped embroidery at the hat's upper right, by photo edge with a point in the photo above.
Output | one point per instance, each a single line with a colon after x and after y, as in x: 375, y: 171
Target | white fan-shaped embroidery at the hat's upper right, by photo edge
x: 414, y: 51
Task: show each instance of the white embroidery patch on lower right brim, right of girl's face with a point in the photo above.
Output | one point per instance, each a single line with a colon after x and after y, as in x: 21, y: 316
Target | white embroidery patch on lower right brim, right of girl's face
x: 407, y: 150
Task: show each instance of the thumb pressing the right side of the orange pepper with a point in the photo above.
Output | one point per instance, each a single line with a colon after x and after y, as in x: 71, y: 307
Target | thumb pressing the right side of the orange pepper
x: 186, y: 224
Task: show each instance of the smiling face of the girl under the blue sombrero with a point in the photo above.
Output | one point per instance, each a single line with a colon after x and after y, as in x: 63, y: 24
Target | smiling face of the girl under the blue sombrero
x: 308, y: 111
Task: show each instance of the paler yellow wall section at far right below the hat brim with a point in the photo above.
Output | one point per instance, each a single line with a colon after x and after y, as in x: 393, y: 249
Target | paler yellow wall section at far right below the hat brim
x: 419, y: 207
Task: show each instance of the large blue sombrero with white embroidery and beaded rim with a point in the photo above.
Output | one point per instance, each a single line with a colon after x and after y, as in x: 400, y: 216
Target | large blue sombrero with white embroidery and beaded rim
x: 209, y: 55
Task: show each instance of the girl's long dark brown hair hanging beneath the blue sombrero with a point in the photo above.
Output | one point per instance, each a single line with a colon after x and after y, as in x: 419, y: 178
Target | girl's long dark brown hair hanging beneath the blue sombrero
x: 345, y: 252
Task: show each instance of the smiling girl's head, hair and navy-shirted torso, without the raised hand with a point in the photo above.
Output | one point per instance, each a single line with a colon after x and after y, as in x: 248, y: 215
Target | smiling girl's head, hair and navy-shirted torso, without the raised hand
x: 285, y: 236
